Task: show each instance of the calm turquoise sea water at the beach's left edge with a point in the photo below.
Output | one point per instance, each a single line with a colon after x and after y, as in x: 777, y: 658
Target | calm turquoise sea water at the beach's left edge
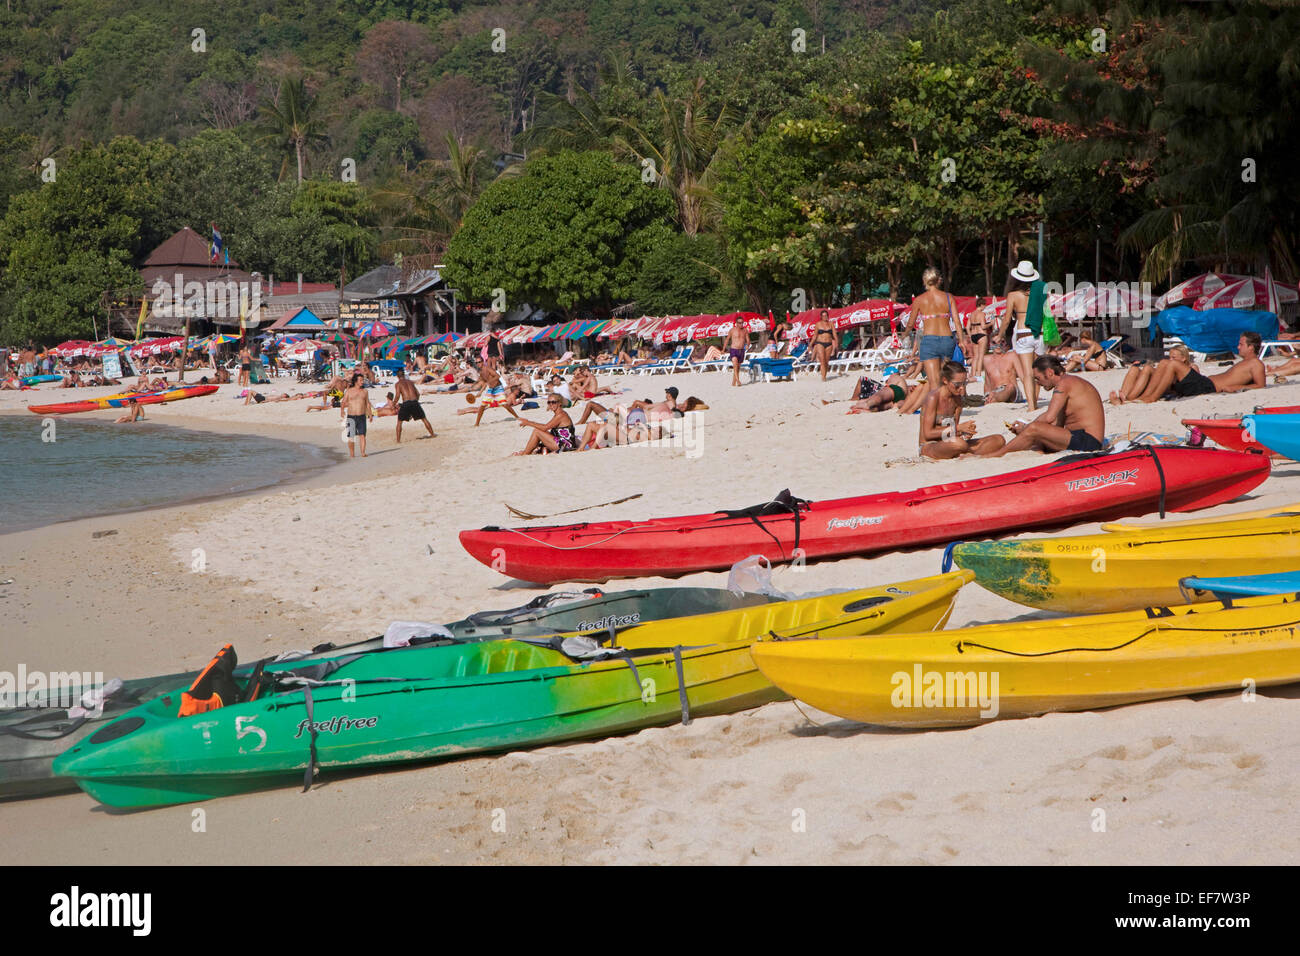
x: 97, y: 468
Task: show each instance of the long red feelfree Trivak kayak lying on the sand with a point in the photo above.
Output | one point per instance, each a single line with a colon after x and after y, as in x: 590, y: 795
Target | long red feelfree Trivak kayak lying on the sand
x: 1071, y: 491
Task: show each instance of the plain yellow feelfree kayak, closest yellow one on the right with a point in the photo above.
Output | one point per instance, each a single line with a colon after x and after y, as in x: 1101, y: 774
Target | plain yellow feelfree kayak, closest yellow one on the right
x: 977, y: 674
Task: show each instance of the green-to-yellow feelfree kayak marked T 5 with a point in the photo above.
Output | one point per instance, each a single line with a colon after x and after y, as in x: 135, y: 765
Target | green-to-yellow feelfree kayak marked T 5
x: 473, y: 699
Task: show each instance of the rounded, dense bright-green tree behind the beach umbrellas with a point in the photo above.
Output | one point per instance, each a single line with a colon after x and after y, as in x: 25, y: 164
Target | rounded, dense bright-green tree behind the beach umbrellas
x: 564, y: 235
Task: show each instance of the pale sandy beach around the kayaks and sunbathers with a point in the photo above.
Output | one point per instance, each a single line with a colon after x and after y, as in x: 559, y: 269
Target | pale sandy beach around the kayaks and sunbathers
x: 339, y: 555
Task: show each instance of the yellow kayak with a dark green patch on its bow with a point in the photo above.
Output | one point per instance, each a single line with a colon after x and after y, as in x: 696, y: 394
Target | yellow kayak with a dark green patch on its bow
x: 1117, y: 572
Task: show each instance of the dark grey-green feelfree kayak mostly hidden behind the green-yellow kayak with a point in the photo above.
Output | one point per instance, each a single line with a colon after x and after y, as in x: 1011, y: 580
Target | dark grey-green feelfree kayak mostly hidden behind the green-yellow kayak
x: 33, y: 736
